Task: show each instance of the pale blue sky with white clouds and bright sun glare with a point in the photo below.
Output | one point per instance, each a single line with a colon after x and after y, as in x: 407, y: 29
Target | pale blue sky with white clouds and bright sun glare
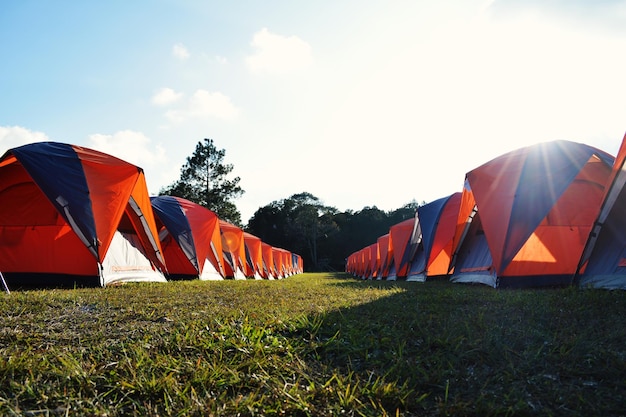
x: 360, y: 103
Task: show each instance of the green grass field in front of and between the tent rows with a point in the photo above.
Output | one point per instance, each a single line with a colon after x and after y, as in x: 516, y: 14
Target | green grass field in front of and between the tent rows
x: 313, y: 344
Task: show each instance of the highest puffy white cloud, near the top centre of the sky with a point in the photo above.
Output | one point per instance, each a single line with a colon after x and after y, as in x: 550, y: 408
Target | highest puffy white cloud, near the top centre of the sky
x: 277, y: 54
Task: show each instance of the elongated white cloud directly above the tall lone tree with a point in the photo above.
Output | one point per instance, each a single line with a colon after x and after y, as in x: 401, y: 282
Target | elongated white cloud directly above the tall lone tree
x: 205, y: 104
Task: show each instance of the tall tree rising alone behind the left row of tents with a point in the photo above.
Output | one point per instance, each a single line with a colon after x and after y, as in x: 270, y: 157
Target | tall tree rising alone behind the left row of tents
x: 203, y: 180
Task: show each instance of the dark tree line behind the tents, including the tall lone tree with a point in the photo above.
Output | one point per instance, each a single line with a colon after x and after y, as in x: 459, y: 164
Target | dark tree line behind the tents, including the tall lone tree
x: 301, y: 223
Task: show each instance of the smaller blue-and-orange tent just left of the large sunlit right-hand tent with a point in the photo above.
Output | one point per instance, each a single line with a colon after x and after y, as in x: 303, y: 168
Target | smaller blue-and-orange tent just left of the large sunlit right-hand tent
x: 437, y: 221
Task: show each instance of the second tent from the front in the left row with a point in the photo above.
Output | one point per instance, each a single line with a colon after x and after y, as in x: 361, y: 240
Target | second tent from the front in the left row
x: 190, y: 238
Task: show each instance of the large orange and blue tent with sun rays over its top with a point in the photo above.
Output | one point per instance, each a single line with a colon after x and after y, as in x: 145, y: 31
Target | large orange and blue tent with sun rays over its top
x: 534, y: 208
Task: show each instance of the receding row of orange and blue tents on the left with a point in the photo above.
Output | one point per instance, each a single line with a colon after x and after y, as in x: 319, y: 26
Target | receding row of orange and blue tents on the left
x: 75, y: 216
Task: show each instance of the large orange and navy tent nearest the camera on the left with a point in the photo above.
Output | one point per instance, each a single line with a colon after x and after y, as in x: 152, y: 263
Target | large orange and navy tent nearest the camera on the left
x: 75, y: 216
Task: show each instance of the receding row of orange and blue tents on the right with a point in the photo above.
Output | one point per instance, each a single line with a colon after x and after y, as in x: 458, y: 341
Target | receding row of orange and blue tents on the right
x: 551, y: 214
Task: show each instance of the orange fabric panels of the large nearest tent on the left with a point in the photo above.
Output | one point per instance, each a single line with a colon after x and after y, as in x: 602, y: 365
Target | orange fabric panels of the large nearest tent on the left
x: 49, y: 244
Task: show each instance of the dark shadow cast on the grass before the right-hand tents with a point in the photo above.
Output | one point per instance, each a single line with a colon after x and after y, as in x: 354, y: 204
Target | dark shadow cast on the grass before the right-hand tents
x: 438, y: 348
